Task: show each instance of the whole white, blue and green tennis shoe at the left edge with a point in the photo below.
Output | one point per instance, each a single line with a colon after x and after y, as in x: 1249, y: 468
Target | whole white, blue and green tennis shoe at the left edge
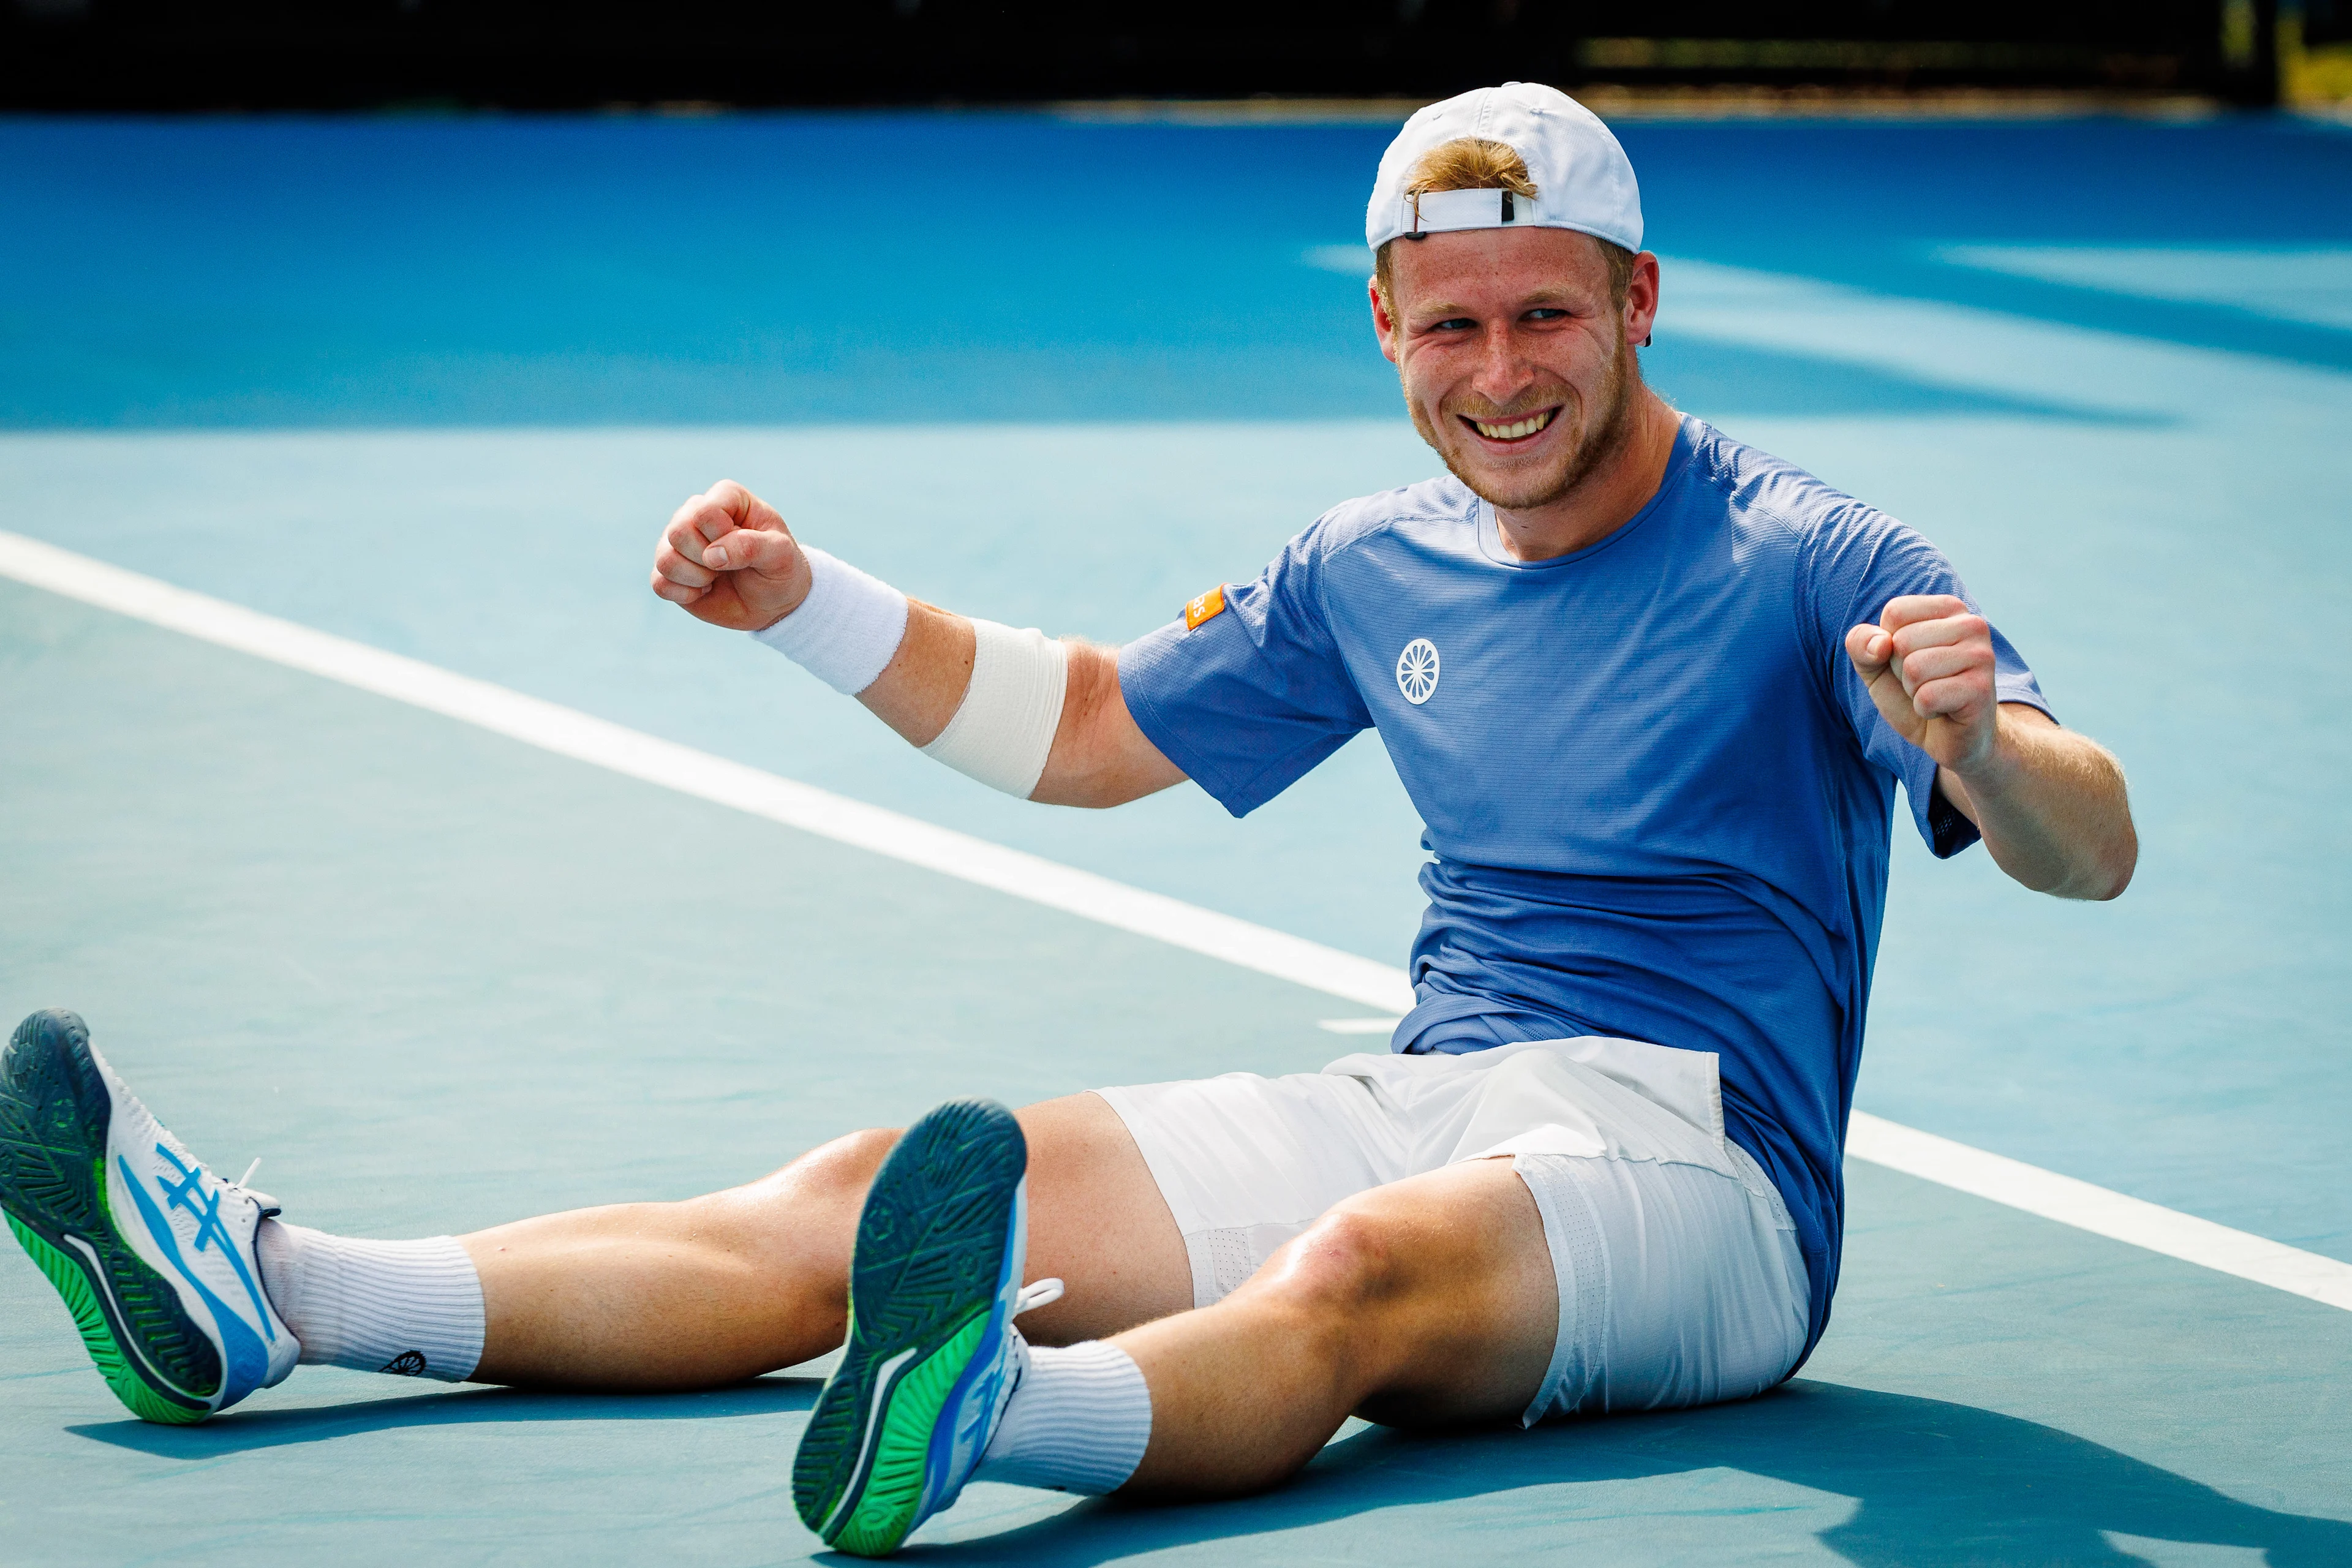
x: 152, y: 1252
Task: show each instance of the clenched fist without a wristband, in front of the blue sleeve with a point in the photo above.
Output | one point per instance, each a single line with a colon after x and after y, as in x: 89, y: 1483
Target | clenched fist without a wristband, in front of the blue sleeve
x: 1930, y: 671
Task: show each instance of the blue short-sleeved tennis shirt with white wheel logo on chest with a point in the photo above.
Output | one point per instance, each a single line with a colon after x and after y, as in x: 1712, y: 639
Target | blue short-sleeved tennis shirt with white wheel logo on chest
x: 1657, y: 793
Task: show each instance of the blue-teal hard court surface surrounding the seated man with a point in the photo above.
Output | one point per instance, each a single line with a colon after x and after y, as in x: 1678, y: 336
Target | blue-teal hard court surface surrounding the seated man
x: 530, y: 923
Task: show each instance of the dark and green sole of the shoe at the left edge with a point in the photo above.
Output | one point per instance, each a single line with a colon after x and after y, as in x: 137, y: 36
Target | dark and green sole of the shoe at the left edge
x: 55, y: 1115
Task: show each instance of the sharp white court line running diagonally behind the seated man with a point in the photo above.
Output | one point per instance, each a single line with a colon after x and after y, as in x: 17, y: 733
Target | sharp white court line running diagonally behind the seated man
x: 1062, y: 887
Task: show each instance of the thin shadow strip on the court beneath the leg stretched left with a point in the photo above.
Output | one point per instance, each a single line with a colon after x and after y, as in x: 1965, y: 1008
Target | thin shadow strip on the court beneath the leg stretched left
x: 250, y: 1430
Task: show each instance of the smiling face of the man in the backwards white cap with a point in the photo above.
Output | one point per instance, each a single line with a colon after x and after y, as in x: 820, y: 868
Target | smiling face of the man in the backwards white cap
x: 1516, y: 356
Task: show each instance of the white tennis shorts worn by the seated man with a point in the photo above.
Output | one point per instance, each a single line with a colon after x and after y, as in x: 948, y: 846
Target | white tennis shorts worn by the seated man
x: 1681, y: 1280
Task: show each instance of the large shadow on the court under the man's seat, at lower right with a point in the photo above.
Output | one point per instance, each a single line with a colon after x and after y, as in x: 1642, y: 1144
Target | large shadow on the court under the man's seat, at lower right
x: 1935, y: 1485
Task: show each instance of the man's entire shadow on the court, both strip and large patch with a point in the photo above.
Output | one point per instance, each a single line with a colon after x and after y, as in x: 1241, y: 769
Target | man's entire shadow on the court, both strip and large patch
x: 1935, y: 1482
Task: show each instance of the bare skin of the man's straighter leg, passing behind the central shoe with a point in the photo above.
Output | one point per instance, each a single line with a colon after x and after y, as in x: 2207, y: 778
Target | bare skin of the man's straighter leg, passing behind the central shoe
x: 735, y: 1285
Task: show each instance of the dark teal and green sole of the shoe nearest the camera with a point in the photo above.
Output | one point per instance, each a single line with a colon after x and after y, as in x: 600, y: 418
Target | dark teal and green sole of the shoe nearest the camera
x: 923, y: 1287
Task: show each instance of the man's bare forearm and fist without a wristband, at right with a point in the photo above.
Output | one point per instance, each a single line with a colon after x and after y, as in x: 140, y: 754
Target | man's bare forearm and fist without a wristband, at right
x: 2050, y: 803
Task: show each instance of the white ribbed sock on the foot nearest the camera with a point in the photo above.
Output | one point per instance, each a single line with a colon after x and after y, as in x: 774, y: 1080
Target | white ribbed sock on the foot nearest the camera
x: 1078, y: 1421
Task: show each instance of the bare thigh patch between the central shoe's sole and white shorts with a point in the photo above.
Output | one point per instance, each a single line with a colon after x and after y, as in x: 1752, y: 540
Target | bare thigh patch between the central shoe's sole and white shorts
x: 1097, y: 1224
